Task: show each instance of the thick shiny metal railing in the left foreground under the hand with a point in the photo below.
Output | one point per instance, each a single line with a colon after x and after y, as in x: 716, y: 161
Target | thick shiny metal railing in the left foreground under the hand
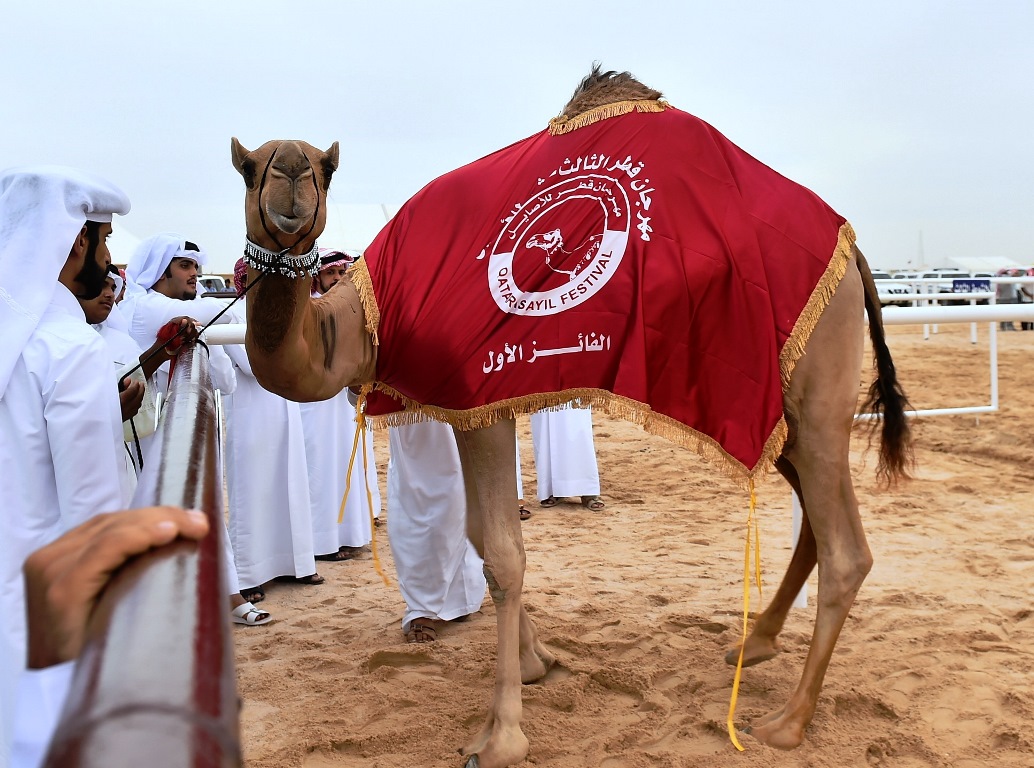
x: 156, y: 684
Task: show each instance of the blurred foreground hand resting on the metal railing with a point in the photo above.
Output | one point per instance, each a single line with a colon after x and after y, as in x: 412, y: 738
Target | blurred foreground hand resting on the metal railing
x: 65, y: 579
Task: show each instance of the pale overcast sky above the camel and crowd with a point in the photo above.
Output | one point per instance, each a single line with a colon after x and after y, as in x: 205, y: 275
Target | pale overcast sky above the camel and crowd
x: 913, y: 119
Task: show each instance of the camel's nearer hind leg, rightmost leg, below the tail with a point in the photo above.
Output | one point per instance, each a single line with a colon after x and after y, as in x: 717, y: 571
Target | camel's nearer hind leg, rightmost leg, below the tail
x: 819, y: 407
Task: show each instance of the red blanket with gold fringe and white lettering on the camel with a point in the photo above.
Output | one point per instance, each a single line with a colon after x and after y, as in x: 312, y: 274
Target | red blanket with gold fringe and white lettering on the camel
x: 633, y: 260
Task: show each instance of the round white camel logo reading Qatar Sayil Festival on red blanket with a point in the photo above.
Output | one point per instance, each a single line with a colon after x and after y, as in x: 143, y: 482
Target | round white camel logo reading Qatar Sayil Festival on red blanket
x: 568, y: 241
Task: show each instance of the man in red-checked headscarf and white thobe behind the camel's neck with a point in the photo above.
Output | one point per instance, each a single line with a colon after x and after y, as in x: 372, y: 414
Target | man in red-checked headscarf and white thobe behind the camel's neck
x: 330, y: 433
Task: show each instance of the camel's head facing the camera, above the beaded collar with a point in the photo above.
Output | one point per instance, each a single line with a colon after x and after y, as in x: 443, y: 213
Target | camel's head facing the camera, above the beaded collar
x: 287, y: 192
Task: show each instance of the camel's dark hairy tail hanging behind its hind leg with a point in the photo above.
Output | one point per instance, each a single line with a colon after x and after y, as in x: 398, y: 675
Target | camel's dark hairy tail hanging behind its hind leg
x: 887, y: 398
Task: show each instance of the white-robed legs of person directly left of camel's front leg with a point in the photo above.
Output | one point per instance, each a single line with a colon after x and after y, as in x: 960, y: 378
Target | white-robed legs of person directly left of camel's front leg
x: 440, y: 573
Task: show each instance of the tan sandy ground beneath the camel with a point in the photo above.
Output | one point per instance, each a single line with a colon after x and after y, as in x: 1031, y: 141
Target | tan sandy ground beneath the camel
x: 640, y: 602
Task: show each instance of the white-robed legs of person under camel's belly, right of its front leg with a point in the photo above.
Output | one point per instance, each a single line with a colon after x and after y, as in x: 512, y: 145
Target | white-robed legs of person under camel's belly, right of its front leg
x: 565, y: 457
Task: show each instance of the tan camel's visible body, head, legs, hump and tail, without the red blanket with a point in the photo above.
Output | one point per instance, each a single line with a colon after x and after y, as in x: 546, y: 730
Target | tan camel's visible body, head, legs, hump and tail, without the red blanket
x: 310, y: 350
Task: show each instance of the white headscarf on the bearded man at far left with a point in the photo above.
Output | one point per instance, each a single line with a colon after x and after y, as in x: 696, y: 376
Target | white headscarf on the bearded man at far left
x: 43, y: 210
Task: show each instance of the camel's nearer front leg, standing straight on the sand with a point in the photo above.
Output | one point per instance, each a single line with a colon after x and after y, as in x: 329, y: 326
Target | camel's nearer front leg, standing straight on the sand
x: 489, y: 458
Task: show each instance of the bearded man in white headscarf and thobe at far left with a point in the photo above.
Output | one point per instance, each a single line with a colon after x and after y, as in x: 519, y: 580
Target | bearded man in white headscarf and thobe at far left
x: 59, y: 405
